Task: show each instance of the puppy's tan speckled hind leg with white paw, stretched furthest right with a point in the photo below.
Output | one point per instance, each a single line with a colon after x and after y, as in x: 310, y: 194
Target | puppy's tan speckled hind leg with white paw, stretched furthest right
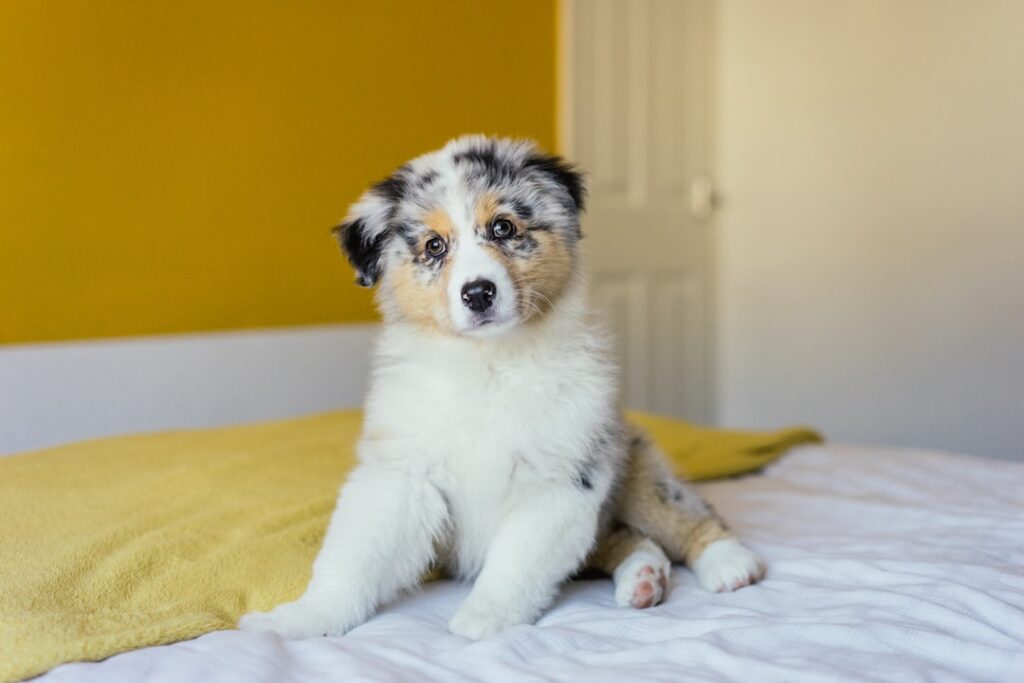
x: 673, y: 516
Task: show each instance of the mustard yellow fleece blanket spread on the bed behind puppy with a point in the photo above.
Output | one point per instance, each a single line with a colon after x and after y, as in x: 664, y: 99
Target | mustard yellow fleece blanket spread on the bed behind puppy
x: 116, y: 544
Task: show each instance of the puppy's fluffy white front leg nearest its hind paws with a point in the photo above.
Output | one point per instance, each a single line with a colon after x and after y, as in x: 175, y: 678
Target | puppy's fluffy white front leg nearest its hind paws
x: 540, y: 544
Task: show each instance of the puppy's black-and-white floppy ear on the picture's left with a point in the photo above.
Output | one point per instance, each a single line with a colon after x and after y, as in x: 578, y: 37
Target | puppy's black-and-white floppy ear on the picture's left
x: 367, y: 229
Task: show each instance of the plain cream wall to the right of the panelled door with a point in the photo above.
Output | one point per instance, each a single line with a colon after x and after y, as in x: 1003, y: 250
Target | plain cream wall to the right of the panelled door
x: 871, y: 158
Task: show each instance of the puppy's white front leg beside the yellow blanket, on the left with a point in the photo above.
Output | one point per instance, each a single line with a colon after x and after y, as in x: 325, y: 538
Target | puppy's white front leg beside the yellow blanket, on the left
x: 379, y: 542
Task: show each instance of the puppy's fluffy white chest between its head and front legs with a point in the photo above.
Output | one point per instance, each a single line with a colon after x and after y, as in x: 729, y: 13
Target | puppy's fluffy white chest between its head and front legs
x: 489, y: 422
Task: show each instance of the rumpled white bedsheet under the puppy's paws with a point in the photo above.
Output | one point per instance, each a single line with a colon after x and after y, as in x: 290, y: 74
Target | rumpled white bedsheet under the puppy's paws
x: 884, y: 565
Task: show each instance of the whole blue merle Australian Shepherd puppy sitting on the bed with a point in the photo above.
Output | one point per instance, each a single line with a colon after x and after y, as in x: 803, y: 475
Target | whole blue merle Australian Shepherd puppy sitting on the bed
x: 494, y: 446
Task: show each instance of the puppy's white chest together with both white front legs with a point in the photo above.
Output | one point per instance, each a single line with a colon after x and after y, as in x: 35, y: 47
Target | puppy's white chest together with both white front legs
x: 473, y: 445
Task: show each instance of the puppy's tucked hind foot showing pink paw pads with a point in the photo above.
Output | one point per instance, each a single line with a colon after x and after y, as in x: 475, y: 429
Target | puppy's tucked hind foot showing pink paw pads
x: 637, y: 565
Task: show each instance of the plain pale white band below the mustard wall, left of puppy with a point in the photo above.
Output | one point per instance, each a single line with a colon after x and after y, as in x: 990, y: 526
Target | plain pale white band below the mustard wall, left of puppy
x: 53, y: 394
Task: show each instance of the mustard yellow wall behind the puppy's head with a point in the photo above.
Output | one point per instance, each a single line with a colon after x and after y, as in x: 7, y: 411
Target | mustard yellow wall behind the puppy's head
x: 177, y: 165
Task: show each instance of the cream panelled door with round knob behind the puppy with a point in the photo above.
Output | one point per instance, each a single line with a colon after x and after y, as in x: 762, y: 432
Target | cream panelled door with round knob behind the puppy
x: 635, y: 116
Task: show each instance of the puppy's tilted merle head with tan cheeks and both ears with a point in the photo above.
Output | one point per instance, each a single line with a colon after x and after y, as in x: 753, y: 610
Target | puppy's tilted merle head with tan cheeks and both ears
x: 474, y: 240
